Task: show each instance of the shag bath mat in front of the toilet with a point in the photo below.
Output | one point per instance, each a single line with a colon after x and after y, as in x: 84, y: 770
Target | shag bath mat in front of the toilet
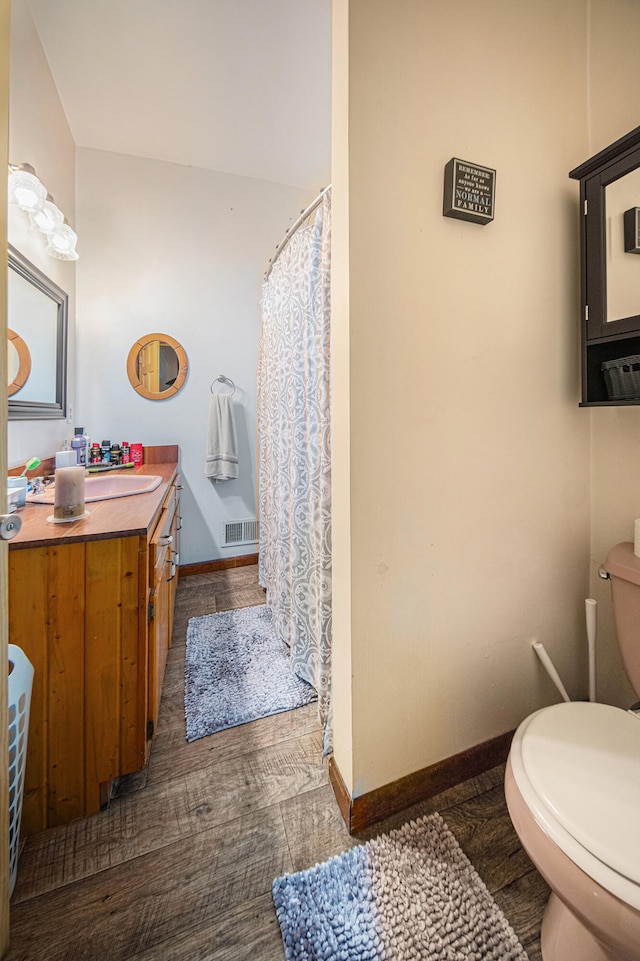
x: 410, y: 895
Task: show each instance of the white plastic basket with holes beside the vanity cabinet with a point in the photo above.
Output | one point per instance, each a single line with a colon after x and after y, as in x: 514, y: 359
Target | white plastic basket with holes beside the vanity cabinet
x: 20, y: 684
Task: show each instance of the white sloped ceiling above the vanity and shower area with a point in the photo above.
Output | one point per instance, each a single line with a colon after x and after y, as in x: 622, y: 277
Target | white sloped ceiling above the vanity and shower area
x: 239, y: 86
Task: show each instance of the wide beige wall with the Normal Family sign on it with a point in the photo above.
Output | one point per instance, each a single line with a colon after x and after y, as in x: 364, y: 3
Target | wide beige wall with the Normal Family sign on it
x: 467, y: 471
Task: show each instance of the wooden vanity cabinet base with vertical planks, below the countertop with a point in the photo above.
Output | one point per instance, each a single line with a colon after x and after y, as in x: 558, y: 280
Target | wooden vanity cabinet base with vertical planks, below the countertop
x: 94, y: 618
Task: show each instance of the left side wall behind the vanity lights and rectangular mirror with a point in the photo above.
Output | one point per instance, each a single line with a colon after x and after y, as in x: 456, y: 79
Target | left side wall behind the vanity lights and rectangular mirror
x: 39, y: 134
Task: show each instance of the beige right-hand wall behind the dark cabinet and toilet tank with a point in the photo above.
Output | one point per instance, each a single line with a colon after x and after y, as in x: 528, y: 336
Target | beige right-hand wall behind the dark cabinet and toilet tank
x: 615, y: 437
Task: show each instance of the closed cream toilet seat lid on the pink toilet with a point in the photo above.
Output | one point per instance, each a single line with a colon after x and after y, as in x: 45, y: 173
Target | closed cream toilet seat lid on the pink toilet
x: 577, y: 767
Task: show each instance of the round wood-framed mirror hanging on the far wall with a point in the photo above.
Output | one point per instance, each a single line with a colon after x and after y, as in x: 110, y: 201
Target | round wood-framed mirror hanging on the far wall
x: 157, y: 366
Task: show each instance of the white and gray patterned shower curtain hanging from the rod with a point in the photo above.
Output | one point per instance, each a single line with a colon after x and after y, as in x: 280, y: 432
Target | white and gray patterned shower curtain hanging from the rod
x: 295, y: 453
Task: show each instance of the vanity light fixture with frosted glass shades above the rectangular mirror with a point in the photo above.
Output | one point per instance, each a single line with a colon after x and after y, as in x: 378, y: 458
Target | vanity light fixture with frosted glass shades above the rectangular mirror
x: 27, y: 191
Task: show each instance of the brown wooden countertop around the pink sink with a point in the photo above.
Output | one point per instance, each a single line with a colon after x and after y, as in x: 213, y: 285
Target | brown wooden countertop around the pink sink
x: 115, y: 517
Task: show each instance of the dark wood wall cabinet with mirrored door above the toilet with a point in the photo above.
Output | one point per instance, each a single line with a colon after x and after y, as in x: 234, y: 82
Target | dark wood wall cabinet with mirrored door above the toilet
x: 610, y: 273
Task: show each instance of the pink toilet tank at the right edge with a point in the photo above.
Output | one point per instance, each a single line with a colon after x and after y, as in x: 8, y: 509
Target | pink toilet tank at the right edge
x: 623, y: 568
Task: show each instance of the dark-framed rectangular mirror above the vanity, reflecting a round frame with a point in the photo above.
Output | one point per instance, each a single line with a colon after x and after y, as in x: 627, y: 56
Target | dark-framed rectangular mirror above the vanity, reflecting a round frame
x: 37, y: 318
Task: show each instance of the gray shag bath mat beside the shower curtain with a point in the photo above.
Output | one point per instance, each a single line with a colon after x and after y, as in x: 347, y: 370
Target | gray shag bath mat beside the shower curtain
x: 237, y: 670
